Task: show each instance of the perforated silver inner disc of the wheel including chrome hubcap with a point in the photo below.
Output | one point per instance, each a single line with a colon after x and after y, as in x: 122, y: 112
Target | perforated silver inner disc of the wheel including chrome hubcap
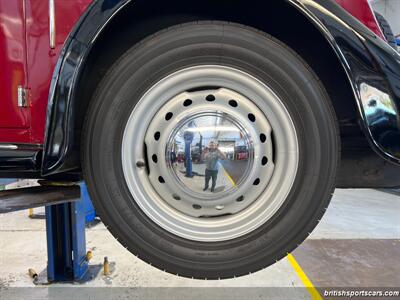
x: 213, y: 133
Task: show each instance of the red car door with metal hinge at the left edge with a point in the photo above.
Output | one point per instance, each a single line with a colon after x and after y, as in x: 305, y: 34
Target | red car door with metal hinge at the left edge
x: 14, y: 111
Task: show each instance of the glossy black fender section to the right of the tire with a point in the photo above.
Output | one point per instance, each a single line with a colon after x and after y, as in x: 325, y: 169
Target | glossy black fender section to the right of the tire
x: 368, y: 60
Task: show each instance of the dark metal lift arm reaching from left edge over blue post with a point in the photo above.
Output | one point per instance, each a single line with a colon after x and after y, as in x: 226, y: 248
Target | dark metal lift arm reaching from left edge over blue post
x: 24, y: 198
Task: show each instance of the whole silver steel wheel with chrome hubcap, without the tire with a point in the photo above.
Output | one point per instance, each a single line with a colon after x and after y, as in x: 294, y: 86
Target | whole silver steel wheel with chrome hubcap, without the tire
x: 234, y: 129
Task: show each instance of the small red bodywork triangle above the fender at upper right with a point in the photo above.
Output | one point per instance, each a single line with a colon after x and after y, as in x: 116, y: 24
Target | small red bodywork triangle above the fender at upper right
x: 361, y: 9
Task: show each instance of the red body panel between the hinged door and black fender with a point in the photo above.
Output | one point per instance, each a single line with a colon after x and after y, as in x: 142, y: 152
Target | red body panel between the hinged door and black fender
x: 41, y: 59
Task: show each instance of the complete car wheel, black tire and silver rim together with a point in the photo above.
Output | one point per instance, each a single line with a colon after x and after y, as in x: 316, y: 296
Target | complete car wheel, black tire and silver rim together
x: 259, y: 123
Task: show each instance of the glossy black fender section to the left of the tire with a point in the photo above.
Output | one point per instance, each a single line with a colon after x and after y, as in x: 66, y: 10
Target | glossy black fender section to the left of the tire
x: 60, y: 155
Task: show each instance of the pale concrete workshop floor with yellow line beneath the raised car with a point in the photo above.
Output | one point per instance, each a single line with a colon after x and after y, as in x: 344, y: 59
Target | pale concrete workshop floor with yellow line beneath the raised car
x: 357, y: 244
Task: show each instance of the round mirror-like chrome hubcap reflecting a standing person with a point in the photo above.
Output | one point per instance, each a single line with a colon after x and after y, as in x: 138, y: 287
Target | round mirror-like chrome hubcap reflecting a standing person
x: 210, y: 154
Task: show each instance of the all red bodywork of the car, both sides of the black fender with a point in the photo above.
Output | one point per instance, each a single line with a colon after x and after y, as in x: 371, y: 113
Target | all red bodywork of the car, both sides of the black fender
x: 27, y: 59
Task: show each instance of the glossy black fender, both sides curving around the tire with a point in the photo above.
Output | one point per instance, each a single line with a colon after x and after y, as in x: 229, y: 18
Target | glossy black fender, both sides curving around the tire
x: 372, y: 68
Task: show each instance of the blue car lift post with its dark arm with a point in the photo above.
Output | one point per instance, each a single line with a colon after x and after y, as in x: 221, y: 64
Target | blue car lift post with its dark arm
x: 67, y: 209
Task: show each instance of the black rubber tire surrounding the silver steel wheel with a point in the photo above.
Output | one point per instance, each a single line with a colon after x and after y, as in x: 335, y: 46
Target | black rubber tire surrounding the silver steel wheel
x: 216, y: 44
